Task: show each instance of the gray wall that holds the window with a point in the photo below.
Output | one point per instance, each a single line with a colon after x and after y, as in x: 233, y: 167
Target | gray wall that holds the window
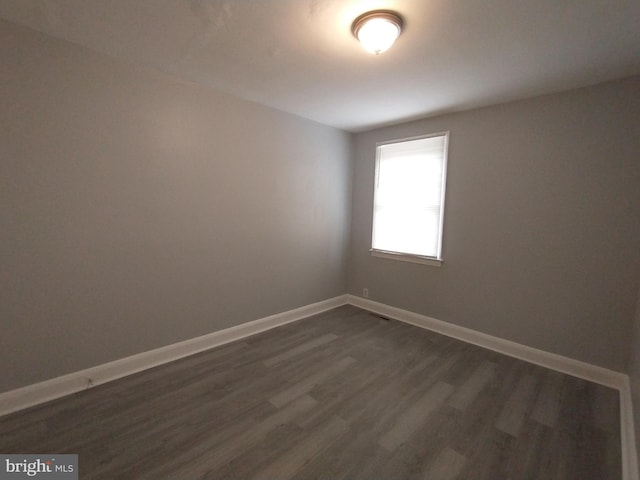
x: 542, y: 230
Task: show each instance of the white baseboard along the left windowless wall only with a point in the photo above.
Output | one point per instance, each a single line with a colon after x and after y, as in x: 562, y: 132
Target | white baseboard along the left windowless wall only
x: 41, y: 392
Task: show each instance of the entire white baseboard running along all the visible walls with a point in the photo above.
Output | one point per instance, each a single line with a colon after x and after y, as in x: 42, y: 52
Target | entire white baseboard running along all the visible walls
x: 41, y: 392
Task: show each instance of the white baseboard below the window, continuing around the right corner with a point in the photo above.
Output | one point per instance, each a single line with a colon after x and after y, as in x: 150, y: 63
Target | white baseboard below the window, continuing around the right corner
x: 583, y: 370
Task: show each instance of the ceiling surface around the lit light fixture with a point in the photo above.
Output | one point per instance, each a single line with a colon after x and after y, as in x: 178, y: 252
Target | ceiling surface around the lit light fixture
x: 299, y: 55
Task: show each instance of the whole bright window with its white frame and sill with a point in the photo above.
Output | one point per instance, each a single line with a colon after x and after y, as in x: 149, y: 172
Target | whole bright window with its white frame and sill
x: 409, y: 199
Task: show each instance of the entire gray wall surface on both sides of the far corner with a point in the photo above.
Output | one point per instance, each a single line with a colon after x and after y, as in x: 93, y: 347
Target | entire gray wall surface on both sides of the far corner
x: 137, y: 210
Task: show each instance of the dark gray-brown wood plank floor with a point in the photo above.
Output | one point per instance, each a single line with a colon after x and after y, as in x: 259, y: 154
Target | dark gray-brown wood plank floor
x: 343, y: 395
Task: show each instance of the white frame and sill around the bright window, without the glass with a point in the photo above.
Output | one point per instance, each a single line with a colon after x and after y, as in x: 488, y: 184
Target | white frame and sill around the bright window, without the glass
x: 403, y: 256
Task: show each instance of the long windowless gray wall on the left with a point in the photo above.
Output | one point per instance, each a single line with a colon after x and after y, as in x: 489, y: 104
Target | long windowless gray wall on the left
x: 137, y: 210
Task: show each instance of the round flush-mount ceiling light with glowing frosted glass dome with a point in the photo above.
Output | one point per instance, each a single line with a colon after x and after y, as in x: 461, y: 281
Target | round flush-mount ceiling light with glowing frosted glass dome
x: 377, y: 30
